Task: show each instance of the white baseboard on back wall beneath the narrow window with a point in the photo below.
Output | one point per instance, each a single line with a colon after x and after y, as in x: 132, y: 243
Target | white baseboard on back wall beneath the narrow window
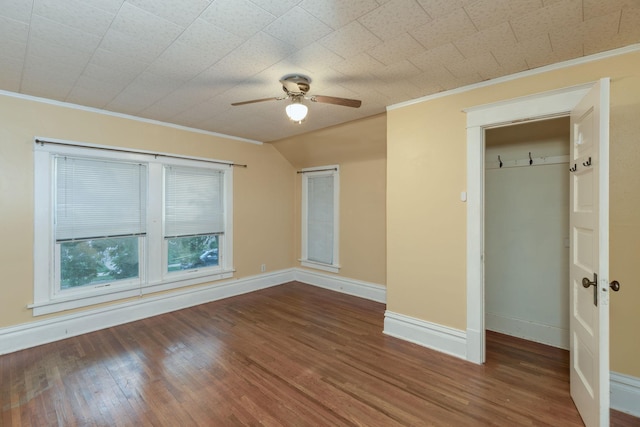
x: 358, y: 288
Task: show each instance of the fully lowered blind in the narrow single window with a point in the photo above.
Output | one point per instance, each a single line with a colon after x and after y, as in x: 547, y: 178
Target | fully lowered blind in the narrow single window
x: 320, y: 219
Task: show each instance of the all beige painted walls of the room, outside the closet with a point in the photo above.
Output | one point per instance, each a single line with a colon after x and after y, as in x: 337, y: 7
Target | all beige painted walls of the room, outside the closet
x: 420, y: 149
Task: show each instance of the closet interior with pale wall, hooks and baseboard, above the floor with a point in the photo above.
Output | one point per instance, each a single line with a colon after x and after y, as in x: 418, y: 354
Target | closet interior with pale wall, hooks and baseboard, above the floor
x: 526, y: 248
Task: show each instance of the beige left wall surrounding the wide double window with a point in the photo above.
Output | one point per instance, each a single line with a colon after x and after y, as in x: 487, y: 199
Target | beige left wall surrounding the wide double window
x: 263, y: 193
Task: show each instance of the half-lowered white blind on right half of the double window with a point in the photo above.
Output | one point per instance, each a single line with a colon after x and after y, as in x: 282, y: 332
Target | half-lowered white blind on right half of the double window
x: 194, y: 202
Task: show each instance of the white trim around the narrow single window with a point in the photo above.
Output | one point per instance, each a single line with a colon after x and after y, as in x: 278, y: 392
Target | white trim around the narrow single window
x: 334, y: 171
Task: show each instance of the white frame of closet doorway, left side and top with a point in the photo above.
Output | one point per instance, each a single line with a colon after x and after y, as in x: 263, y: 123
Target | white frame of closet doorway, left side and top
x: 540, y: 106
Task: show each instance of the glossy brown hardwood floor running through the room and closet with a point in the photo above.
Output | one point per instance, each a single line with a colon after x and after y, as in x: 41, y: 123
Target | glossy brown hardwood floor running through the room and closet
x: 289, y: 355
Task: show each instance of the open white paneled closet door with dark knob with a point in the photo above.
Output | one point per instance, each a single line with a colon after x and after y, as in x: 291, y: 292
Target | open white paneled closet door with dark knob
x: 589, y: 269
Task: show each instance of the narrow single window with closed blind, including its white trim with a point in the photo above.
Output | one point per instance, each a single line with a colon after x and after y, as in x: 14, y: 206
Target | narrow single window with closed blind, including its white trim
x: 320, y: 196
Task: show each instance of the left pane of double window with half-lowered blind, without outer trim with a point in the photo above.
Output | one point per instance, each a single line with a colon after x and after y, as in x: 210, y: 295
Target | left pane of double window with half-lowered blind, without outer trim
x: 99, y: 219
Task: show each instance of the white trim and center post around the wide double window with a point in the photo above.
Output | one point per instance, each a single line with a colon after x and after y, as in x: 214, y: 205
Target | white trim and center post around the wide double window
x: 153, y: 274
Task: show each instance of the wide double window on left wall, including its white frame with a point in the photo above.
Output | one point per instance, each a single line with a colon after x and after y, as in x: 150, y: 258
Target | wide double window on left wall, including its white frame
x: 111, y: 224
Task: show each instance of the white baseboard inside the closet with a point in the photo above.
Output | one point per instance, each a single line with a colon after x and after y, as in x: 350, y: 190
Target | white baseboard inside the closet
x: 528, y: 330
